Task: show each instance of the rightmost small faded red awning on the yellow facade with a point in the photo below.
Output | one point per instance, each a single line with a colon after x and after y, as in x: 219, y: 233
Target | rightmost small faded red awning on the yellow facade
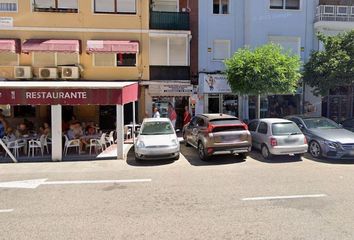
x: 112, y: 46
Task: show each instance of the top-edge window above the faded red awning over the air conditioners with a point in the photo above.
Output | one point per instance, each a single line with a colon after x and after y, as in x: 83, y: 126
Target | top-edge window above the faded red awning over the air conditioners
x: 55, y: 6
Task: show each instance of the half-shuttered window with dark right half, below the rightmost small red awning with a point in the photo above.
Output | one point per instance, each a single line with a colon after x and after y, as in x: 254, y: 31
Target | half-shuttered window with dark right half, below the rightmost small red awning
x: 114, y: 59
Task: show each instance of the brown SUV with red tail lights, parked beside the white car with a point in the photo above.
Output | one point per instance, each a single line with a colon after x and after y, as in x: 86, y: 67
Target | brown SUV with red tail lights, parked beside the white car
x: 217, y: 134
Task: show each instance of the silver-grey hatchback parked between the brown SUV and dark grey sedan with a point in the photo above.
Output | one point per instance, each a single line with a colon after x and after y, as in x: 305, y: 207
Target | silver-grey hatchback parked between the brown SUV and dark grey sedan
x: 276, y: 136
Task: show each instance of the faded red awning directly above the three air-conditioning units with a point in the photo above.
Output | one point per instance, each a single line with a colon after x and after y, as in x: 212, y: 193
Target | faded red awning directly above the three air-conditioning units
x: 48, y: 45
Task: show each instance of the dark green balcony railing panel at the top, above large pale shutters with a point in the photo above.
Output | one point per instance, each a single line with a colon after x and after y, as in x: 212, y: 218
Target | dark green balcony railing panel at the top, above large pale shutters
x: 169, y: 20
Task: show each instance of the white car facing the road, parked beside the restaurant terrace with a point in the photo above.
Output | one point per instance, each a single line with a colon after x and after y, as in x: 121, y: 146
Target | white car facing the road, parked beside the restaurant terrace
x: 157, y: 139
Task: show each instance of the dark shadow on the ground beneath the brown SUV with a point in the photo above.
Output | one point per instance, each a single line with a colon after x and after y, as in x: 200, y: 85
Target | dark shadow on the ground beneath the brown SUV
x: 191, y: 155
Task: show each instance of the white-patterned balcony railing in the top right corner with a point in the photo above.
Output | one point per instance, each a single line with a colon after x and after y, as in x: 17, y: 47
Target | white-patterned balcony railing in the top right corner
x: 337, y: 13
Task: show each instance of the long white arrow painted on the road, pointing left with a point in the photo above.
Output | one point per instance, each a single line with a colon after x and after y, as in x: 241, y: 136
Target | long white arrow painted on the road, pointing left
x: 34, y: 183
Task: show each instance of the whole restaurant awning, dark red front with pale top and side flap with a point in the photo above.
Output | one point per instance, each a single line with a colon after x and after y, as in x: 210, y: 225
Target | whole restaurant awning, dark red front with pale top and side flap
x: 68, y: 93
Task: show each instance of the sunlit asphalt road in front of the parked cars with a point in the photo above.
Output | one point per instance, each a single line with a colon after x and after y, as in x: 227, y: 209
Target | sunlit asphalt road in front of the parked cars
x: 186, y: 199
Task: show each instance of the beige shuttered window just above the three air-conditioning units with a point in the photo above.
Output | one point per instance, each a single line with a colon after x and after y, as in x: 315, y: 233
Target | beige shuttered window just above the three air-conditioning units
x: 52, y: 59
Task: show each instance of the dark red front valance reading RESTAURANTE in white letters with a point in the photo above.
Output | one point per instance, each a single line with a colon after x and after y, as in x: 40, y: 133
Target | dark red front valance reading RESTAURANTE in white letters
x: 61, y: 96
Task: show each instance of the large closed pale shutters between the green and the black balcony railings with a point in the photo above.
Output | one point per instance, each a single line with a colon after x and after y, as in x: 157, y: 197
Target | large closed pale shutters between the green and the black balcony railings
x: 169, y: 51
